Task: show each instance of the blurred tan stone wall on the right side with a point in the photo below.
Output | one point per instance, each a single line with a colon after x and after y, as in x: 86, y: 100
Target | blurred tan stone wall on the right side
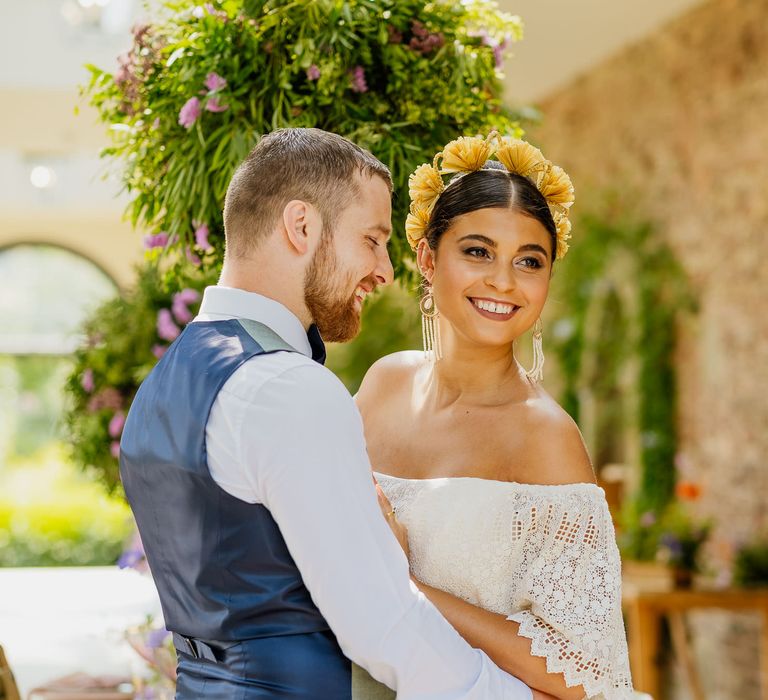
x: 679, y: 123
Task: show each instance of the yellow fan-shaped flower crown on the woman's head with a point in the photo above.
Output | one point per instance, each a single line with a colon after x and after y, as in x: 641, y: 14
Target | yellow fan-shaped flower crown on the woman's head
x: 469, y: 153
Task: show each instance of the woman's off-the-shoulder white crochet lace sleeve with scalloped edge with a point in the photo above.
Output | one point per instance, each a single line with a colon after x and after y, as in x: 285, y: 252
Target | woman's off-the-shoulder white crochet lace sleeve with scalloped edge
x: 570, y: 603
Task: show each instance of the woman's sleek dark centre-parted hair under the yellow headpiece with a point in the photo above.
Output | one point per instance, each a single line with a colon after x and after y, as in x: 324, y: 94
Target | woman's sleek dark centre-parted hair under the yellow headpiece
x: 491, y: 187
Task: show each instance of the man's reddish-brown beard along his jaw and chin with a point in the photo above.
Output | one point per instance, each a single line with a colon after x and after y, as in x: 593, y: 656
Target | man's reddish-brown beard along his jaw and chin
x: 331, y: 305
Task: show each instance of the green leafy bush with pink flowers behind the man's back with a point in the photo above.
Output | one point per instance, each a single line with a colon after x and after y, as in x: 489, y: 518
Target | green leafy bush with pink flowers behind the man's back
x: 122, y: 345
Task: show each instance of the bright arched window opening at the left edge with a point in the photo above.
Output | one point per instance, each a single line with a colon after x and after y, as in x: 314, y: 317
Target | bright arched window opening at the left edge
x: 45, y: 294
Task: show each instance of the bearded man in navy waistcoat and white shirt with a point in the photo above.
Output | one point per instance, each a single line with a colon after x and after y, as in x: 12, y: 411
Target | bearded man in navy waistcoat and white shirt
x: 244, y: 461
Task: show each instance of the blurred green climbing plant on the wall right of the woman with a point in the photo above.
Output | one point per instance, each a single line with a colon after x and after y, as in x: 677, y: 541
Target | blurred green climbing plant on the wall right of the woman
x: 658, y: 287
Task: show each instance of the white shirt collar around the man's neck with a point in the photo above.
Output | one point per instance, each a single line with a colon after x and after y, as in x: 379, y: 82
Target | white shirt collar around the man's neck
x: 227, y: 302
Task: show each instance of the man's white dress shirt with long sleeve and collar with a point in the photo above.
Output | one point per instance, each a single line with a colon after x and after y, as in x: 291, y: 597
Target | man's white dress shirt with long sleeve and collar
x: 285, y: 432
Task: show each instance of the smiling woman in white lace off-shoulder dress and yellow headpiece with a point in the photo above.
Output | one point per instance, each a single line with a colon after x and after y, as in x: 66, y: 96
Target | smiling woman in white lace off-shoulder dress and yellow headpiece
x: 483, y: 477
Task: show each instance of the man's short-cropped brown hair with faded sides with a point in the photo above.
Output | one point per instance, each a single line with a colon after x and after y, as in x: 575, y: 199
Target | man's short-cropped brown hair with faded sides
x: 308, y: 164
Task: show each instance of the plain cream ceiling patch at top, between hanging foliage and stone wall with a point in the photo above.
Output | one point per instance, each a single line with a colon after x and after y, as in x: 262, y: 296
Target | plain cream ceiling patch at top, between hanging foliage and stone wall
x: 565, y: 38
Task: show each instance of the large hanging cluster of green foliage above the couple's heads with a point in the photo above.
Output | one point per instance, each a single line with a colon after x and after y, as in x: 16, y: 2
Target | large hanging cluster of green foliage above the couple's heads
x: 399, y: 78
